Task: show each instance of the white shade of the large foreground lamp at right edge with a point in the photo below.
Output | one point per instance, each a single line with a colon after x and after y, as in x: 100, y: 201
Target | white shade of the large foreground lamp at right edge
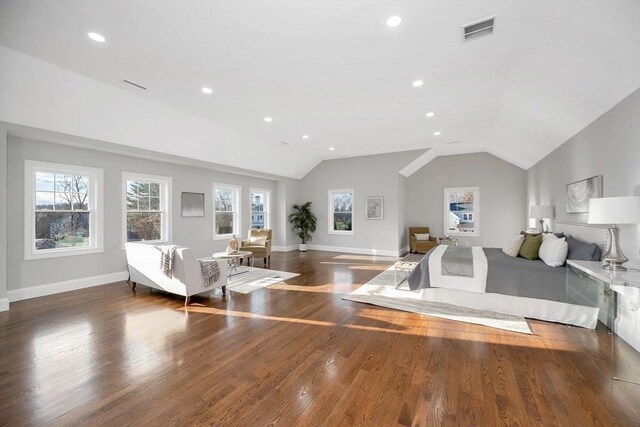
x: 614, y: 210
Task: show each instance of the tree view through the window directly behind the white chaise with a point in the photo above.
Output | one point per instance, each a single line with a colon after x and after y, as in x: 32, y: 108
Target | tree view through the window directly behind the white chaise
x: 144, y: 212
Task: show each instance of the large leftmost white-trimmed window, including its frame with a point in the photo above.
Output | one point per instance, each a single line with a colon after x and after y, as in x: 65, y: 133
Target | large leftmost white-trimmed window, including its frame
x: 63, y: 204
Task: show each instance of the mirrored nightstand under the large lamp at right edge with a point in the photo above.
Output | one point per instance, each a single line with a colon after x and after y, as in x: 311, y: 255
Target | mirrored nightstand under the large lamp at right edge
x: 617, y: 294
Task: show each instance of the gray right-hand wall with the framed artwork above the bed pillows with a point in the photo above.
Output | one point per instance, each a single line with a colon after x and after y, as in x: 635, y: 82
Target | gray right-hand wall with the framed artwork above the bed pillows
x: 609, y: 146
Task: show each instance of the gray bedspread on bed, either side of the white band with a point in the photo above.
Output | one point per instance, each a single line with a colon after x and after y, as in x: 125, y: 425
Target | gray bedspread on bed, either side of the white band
x: 508, y: 276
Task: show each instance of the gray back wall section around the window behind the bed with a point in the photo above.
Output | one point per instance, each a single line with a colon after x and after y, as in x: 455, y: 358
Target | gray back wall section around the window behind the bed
x: 502, y: 195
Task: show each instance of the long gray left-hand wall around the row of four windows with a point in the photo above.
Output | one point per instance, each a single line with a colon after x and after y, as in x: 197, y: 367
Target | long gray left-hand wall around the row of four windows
x: 195, y: 233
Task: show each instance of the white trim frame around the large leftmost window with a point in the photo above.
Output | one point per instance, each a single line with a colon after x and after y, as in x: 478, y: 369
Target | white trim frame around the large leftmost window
x: 96, y: 224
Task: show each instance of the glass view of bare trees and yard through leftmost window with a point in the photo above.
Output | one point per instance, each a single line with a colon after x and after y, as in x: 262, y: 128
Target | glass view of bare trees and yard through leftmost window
x: 61, y: 210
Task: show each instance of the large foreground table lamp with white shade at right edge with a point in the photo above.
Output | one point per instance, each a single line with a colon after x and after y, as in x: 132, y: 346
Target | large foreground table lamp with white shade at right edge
x: 614, y: 210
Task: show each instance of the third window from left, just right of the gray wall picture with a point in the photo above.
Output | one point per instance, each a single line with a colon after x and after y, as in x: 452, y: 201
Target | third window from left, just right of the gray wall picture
x: 226, y: 211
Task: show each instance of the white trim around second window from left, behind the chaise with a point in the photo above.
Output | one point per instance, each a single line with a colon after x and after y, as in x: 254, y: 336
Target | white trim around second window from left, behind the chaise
x: 165, y: 198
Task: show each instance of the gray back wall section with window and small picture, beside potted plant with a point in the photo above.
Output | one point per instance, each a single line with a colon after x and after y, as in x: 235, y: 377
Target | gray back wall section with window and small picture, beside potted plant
x: 368, y: 176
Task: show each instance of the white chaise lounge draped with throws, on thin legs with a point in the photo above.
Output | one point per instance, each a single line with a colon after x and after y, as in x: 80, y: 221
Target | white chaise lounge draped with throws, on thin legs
x: 144, y: 269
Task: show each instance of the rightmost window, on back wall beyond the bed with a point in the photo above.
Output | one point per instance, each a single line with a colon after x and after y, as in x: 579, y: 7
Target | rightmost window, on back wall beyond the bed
x: 461, y: 211
